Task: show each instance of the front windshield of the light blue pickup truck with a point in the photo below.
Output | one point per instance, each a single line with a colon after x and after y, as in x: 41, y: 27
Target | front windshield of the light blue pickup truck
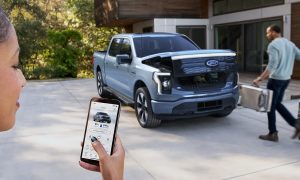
x: 148, y: 45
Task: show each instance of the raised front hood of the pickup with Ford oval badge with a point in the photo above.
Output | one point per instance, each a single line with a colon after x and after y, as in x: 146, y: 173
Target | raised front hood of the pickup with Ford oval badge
x: 187, y: 63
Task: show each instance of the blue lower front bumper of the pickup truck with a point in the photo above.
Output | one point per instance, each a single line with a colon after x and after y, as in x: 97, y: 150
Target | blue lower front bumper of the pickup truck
x: 196, y: 106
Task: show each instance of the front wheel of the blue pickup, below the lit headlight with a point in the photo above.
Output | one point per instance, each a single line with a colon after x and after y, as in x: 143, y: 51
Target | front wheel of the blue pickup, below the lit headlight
x: 143, y: 109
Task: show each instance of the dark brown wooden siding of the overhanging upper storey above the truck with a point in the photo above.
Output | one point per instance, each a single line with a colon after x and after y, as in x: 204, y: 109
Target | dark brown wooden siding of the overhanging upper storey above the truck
x: 126, y: 12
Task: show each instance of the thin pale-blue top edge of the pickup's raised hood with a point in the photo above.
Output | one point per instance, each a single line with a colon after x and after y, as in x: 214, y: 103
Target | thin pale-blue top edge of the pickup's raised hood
x: 190, y: 54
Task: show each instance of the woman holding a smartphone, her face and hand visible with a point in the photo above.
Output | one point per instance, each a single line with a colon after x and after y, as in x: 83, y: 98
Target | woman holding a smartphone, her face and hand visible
x: 11, y: 83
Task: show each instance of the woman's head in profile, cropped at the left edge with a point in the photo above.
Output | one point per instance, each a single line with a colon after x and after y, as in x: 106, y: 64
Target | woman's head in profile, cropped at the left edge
x: 11, y: 78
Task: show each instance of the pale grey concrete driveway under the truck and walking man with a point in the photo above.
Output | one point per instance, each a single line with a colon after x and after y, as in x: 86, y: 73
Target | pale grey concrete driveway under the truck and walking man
x: 45, y: 143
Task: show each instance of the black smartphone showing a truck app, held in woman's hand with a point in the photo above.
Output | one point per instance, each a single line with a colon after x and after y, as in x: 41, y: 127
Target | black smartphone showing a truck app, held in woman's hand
x: 102, y: 123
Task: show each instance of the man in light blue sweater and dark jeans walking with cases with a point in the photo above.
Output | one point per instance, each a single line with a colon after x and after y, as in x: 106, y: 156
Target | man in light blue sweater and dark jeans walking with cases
x: 282, y: 54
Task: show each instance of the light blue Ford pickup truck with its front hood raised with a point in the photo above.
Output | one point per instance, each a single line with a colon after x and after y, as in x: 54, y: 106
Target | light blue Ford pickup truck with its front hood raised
x: 167, y: 76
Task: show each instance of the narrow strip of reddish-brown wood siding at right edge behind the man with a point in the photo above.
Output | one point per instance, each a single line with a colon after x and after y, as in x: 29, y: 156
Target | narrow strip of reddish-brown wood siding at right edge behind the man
x: 295, y: 35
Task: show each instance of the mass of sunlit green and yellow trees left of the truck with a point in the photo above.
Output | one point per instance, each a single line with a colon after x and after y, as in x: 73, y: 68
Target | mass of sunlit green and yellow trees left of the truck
x: 38, y: 23
